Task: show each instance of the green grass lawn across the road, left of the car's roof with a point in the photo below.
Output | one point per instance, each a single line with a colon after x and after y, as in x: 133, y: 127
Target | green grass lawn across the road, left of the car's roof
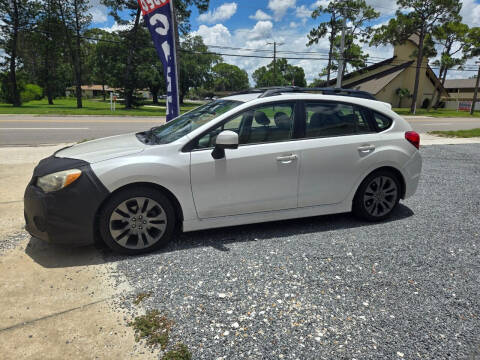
x: 68, y: 106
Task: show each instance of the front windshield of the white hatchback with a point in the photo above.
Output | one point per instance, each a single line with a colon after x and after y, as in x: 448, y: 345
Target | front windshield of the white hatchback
x: 186, y: 123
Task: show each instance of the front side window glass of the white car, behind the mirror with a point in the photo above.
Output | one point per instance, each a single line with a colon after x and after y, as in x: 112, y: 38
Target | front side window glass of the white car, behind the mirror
x: 261, y: 124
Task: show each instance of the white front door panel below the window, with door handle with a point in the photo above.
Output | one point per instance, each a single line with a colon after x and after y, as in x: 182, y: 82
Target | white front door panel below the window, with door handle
x: 249, y: 179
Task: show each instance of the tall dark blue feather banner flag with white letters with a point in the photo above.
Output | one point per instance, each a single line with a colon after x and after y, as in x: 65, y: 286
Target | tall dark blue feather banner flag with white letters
x: 158, y: 15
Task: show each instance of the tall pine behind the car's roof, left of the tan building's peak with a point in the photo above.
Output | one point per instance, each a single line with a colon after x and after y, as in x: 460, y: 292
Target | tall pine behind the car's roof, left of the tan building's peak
x: 359, y: 15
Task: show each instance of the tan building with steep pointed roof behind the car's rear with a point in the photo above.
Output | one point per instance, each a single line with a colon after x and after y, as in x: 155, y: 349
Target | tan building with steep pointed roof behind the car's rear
x: 384, y: 78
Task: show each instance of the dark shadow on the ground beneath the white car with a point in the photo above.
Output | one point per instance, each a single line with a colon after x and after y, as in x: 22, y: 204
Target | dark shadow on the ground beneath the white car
x: 55, y: 256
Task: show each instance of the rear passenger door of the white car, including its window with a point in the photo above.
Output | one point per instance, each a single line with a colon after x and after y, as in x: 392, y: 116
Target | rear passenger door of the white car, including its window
x: 339, y: 142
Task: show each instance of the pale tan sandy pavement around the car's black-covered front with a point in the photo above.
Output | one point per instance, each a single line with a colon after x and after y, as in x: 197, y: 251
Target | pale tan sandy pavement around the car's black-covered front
x: 56, y: 303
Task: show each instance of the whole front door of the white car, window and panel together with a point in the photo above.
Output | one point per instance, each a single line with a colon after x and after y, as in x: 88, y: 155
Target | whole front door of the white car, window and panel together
x: 260, y: 175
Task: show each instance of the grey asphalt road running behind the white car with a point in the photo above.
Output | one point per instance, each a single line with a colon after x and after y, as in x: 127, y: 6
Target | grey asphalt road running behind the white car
x: 35, y: 130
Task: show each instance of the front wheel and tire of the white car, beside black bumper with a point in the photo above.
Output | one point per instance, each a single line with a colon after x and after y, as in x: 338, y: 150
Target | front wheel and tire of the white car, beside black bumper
x: 137, y: 220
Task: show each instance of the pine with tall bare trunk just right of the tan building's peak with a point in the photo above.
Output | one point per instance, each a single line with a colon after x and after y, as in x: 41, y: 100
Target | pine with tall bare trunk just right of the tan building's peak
x: 423, y: 18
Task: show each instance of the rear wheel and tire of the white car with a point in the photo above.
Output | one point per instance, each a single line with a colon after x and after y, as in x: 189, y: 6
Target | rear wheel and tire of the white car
x: 377, y: 196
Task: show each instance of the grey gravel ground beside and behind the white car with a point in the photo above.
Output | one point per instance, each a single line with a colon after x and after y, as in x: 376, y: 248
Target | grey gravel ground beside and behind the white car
x: 332, y: 286
